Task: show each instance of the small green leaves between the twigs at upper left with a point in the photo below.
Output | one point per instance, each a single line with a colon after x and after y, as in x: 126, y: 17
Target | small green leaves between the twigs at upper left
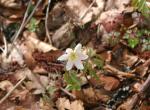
x: 33, y: 25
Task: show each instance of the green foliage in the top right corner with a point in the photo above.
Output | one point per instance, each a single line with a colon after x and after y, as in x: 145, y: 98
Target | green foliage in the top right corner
x: 142, y: 7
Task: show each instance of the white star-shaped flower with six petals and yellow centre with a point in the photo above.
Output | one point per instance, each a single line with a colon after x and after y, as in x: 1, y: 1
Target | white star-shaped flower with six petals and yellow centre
x: 74, y: 57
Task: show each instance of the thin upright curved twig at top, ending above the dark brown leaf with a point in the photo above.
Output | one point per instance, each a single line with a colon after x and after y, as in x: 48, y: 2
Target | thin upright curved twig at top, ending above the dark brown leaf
x: 46, y: 23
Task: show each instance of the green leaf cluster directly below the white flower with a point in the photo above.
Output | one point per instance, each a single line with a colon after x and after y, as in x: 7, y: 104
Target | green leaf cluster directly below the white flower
x: 73, y: 83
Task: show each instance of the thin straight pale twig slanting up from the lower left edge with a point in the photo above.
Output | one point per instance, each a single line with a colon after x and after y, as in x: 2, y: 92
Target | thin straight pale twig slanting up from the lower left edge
x: 9, y: 93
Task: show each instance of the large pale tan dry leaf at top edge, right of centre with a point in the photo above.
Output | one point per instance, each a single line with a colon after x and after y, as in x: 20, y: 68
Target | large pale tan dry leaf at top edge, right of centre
x: 83, y: 12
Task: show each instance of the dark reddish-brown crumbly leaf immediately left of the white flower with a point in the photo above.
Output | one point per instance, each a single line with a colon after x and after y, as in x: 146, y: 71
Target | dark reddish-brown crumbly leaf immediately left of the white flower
x: 47, y: 62
